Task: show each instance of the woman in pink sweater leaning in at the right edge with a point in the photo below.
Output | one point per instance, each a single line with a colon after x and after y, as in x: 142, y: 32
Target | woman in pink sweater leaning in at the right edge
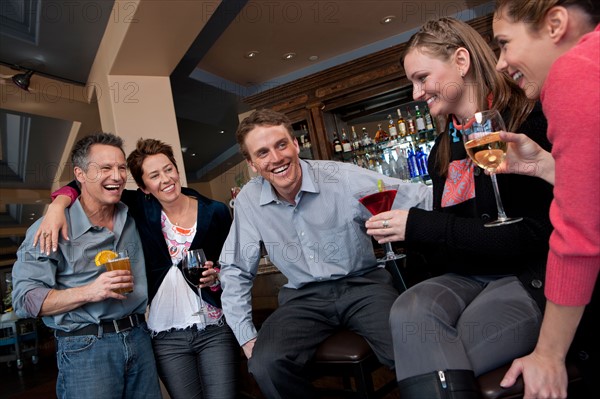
x: 551, y: 49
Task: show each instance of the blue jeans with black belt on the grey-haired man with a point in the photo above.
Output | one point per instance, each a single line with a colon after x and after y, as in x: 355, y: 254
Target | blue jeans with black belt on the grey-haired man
x: 113, y: 365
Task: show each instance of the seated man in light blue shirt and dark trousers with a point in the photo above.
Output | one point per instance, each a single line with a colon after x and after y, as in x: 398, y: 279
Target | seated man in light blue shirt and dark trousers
x: 312, y: 225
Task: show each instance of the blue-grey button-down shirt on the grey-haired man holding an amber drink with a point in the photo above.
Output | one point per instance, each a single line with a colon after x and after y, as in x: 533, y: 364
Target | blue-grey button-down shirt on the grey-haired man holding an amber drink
x: 72, y: 265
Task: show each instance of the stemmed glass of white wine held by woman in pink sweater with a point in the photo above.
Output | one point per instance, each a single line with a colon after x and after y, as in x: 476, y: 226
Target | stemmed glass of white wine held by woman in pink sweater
x: 481, y: 135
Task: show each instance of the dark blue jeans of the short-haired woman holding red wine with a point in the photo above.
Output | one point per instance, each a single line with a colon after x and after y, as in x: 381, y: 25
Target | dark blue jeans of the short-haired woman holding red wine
x: 198, y: 364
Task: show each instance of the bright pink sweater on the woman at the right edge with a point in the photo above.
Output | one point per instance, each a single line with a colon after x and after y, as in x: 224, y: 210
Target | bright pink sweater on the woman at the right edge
x: 571, y: 102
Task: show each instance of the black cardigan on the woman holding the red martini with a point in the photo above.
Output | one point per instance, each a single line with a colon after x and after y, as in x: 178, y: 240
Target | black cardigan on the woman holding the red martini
x: 454, y: 239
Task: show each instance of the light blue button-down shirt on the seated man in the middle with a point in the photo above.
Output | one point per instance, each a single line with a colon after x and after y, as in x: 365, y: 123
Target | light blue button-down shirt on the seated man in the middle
x: 322, y: 237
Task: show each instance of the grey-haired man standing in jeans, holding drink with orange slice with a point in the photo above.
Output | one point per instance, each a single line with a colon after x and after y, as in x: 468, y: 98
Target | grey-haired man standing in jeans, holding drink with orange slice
x: 103, y: 345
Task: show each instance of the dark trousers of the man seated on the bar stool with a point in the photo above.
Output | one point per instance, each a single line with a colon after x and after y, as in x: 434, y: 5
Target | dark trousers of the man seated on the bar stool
x: 289, y: 338
